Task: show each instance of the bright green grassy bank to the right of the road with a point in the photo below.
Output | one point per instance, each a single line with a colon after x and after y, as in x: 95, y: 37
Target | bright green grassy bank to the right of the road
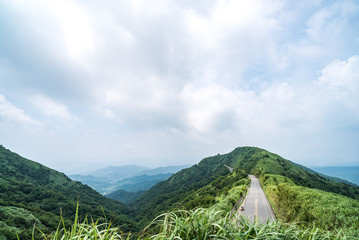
x: 311, y: 206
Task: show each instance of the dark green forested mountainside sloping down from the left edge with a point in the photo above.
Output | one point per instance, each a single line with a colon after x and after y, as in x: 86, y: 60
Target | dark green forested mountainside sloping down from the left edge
x: 31, y: 192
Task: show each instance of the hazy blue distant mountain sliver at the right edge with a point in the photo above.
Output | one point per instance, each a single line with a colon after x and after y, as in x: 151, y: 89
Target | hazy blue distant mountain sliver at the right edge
x: 349, y: 173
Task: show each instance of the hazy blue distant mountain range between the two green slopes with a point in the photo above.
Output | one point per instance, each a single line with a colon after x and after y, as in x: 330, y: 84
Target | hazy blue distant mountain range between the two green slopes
x: 131, y: 178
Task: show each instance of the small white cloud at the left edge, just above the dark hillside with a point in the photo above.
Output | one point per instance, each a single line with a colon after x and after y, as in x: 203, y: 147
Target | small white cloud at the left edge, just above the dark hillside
x: 12, y: 113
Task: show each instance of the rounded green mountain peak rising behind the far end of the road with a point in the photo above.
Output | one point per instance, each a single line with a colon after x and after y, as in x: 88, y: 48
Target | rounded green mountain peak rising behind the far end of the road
x: 202, y: 184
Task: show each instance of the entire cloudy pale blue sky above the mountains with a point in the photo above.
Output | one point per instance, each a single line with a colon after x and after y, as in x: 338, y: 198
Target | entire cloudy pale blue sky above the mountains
x: 88, y: 84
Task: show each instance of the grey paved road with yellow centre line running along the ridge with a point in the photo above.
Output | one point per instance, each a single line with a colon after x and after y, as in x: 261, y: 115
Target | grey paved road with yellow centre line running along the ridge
x: 256, y: 205
